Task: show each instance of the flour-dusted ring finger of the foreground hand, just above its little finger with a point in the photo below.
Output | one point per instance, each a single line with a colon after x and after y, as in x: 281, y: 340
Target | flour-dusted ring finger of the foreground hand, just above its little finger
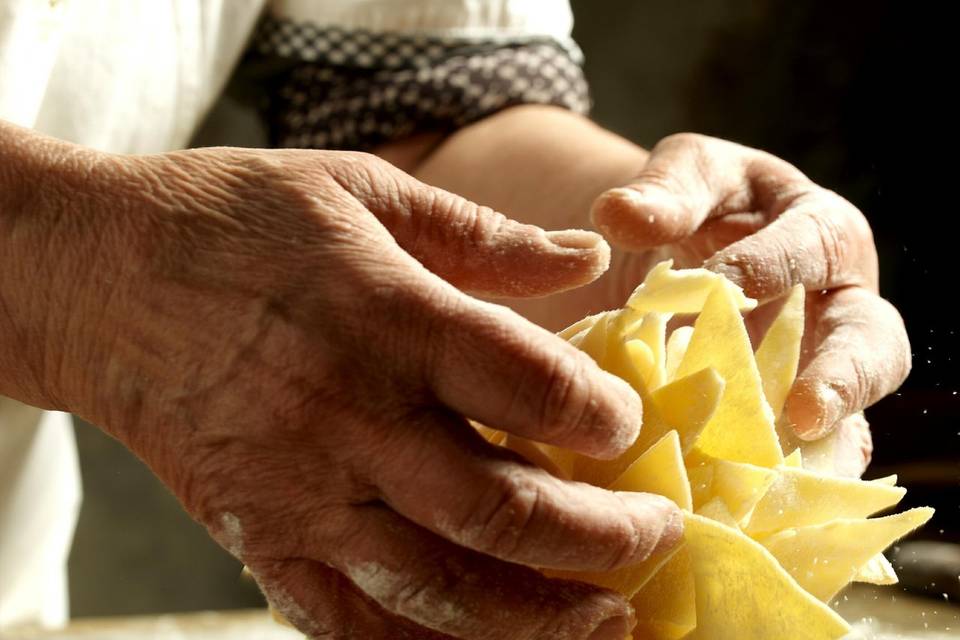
x: 418, y: 576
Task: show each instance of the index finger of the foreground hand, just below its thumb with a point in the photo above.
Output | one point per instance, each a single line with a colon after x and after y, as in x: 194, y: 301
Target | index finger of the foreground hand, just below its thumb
x: 495, y: 367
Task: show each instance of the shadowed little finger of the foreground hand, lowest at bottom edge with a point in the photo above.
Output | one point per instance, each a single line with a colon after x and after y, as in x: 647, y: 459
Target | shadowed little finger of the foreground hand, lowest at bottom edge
x: 323, y: 603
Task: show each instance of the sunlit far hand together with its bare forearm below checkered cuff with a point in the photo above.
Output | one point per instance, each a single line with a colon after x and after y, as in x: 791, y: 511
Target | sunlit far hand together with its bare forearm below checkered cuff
x: 702, y: 202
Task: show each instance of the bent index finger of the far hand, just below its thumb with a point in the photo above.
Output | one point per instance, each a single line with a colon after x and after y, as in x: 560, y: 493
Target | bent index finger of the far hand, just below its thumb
x: 820, y: 241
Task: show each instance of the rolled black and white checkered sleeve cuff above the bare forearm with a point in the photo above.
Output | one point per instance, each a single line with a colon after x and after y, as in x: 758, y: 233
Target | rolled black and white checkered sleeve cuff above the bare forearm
x: 340, y: 89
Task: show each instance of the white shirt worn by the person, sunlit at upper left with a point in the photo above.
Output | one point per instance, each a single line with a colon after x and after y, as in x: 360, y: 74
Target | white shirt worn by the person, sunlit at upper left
x: 137, y: 76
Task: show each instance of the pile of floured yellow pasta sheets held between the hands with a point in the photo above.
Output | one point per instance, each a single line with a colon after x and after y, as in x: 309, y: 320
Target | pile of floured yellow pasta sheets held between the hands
x: 767, y: 542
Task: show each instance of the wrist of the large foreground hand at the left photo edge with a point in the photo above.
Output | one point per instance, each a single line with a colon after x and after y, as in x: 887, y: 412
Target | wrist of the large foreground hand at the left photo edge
x: 51, y: 233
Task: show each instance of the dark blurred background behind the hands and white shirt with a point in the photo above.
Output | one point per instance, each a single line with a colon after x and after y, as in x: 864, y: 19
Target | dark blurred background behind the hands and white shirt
x: 853, y: 93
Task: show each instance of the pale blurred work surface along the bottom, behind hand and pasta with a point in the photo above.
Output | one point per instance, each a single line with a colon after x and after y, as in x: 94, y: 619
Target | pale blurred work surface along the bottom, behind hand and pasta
x: 876, y: 614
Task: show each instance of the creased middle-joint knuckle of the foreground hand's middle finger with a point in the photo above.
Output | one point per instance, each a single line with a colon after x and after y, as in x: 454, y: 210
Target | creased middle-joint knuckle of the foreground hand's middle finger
x: 501, y: 525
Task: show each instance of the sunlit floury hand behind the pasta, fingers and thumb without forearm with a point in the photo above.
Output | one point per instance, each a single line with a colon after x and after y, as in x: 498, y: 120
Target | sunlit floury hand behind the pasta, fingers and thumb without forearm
x: 763, y: 224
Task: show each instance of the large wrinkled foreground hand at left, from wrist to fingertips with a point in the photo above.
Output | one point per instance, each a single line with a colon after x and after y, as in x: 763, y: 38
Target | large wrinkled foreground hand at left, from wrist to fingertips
x: 275, y: 334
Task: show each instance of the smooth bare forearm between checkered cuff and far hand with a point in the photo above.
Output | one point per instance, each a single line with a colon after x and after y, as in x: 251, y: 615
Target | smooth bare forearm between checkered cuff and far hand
x: 539, y: 164
